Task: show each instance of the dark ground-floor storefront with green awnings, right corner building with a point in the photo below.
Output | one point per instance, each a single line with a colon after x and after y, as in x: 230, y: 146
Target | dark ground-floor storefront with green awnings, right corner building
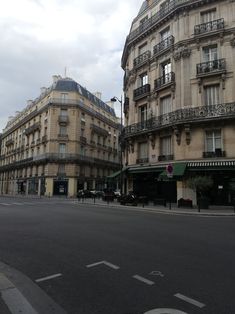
x: 154, y: 182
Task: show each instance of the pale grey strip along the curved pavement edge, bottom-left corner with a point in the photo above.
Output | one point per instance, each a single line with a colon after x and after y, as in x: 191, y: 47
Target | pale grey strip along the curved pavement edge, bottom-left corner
x: 13, y: 298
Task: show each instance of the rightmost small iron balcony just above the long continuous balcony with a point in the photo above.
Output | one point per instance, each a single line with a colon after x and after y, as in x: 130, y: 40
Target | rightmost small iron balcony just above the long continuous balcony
x: 211, y: 67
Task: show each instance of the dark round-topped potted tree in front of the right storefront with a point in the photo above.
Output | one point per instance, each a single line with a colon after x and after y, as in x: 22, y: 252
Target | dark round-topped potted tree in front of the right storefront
x: 201, y: 184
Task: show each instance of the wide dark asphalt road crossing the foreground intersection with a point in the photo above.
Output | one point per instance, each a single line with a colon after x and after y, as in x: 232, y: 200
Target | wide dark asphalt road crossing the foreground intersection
x: 120, y: 260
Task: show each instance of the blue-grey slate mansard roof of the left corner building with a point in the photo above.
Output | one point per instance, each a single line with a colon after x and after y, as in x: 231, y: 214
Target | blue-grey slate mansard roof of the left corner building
x: 69, y: 85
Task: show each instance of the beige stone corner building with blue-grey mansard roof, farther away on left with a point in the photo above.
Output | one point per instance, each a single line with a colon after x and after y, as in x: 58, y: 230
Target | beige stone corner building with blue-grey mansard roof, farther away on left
x: 63, y: 141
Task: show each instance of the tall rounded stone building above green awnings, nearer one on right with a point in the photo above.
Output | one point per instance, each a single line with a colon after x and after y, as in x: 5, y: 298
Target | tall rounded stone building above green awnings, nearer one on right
x: 180, y: 98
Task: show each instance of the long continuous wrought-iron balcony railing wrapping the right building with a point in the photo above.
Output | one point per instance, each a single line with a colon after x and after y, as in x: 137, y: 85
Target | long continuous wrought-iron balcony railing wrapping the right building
x: 182, y: 116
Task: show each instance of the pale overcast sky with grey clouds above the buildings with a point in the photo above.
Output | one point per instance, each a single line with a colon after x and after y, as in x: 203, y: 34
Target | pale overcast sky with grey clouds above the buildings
x: 40, y: 38
